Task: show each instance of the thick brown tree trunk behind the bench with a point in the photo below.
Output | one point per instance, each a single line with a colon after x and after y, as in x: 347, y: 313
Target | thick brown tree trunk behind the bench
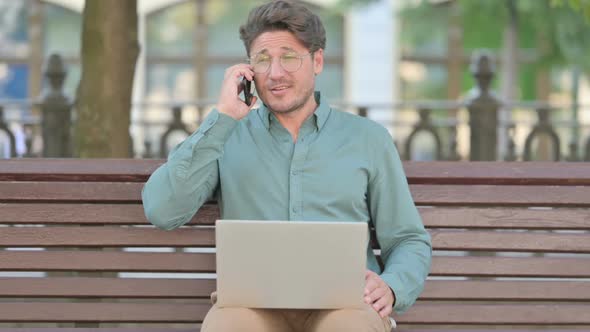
x: 103, y: 102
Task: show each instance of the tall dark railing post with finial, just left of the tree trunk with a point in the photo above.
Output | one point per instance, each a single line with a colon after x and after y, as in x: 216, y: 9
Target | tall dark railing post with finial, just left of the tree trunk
x: 56, y: 111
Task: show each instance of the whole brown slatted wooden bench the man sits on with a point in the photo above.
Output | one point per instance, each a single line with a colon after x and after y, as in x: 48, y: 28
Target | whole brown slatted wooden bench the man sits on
x: 511, y: 240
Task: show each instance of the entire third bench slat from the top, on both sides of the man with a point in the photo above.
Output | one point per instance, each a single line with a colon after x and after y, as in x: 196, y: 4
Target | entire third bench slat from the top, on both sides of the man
x: 440, y: 217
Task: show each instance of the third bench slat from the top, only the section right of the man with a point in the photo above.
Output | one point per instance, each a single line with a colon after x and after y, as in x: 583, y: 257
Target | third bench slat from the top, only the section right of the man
x: 509, y: 218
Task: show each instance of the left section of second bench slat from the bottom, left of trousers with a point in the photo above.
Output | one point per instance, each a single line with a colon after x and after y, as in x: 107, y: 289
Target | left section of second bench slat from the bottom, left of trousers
x: 103, y: 312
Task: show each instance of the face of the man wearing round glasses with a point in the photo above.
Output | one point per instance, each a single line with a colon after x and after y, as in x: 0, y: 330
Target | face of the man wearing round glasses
x: 281, y: 90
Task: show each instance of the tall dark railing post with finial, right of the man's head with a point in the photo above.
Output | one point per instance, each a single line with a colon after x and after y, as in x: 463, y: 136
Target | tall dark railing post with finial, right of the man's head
x: 483, y: 106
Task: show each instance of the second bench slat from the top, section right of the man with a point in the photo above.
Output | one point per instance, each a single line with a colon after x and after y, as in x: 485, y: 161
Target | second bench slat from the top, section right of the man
x: 462, y: 195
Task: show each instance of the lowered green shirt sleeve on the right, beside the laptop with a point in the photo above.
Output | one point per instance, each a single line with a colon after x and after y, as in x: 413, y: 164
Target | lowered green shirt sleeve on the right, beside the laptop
x: 406, y: 247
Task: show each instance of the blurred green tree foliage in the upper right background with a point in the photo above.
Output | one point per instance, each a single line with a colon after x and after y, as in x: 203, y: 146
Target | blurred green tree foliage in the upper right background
x: 555, y: 33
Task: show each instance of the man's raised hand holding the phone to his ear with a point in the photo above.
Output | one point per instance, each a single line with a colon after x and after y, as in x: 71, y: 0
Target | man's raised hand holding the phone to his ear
x: 229, y: 102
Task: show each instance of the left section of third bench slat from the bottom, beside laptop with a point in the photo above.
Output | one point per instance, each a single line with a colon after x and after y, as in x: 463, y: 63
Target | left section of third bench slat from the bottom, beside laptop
x: 106, y: 287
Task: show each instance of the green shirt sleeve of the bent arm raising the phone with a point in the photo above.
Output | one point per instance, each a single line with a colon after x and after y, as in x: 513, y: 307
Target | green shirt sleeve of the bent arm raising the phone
x: 179, y: 187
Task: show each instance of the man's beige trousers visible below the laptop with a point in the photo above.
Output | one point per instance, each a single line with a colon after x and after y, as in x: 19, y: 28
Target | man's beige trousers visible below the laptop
x: 294, y: 320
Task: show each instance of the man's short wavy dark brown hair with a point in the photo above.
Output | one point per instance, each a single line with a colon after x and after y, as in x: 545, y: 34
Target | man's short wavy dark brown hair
x: 285, y: 15
